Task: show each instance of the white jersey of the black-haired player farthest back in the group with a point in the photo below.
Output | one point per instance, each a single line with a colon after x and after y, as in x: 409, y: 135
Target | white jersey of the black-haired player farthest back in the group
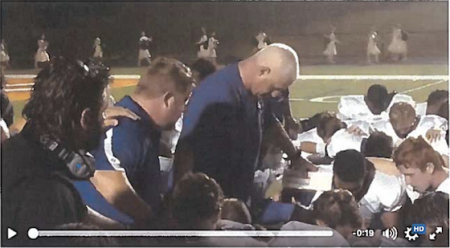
x: 354, y: 107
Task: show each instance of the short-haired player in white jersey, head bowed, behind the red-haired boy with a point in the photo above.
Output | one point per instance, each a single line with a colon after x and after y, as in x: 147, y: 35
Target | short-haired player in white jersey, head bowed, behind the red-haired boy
x: 404, y: 123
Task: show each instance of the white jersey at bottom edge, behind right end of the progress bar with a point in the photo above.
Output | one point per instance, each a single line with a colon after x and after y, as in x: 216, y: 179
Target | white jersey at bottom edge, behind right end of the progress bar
x: 336, y: 240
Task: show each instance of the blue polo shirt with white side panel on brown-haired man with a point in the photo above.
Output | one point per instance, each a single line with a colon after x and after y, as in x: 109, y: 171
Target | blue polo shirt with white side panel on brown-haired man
x: 132, y: 146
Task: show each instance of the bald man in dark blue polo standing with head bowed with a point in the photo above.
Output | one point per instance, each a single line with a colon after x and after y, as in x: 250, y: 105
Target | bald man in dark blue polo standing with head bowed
x: 225, y: 120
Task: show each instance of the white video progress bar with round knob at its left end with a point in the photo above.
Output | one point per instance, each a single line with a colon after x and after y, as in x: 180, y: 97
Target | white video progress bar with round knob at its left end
x: 34, y: 233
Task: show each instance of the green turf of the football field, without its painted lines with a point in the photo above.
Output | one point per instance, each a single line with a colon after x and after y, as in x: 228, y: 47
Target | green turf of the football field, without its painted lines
x: 310, y: 89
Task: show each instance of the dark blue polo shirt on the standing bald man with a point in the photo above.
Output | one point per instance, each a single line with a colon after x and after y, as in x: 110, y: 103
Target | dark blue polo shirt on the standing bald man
x: 223, y: 126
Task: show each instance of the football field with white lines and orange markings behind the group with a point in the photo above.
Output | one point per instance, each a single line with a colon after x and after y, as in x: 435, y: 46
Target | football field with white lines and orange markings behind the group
x: 308, y: 97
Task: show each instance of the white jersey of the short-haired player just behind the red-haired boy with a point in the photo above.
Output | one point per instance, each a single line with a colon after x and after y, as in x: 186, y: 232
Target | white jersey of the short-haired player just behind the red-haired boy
x: 425, y: 124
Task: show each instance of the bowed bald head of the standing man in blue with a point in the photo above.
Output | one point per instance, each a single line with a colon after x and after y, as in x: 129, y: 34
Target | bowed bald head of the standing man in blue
x: 274, y: 68
